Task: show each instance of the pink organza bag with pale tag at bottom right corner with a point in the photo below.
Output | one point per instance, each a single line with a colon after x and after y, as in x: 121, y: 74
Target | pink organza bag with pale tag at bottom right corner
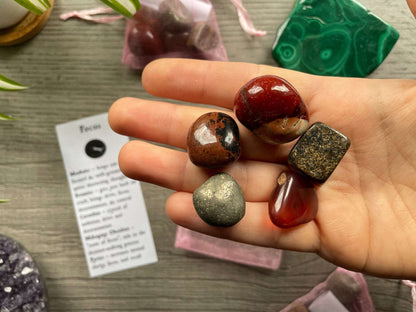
x: 342, y: 291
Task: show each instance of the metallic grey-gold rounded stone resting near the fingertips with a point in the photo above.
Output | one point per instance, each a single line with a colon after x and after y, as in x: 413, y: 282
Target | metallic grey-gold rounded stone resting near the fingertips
x: 220, y: 201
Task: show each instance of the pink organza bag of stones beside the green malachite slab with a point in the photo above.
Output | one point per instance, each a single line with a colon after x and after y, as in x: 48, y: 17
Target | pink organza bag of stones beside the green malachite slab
x: 172, y: 28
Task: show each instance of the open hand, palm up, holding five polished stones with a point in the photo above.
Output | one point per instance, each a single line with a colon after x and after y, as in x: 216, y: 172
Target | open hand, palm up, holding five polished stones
x: 367, y: 213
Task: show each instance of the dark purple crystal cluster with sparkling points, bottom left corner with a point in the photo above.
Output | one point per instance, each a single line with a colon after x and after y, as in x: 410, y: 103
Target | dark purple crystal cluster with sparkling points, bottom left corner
x: 22, y: 288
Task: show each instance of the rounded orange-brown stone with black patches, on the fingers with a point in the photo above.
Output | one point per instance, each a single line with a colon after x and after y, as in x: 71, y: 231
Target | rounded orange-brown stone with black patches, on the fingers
x: 213, y: 140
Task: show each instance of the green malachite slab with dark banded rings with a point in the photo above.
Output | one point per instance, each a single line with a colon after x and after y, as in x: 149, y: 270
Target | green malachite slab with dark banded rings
x: 333, y: 38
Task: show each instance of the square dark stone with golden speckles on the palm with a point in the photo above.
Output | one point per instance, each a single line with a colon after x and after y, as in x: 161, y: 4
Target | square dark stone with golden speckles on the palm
x: 318, y: 151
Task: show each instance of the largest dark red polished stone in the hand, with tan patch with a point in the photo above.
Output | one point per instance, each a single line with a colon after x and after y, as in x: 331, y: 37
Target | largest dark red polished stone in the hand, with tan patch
x: 271, y: 108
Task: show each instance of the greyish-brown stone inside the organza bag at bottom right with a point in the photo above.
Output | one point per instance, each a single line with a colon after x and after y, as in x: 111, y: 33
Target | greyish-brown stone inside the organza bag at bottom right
x: 344, y: 287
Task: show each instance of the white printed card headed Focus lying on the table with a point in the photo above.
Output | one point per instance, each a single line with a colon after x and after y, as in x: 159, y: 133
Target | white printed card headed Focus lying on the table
x: 110, y: 210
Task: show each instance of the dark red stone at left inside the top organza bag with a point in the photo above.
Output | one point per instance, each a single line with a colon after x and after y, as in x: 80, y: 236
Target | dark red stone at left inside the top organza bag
x: 143, y: 40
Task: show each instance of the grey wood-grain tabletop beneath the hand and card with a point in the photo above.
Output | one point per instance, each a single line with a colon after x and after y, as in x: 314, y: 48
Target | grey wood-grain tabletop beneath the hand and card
x: 74, y: 71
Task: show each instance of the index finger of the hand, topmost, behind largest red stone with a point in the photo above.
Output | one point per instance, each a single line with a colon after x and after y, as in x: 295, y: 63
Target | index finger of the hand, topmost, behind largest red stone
x: 213, y: 83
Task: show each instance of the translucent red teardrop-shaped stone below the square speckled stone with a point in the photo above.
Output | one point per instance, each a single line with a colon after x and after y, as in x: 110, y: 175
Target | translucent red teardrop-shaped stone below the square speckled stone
x: 293, y: 201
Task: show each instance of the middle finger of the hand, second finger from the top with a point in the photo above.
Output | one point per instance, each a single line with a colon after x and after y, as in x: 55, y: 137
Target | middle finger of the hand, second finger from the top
x: 169, y: 124
